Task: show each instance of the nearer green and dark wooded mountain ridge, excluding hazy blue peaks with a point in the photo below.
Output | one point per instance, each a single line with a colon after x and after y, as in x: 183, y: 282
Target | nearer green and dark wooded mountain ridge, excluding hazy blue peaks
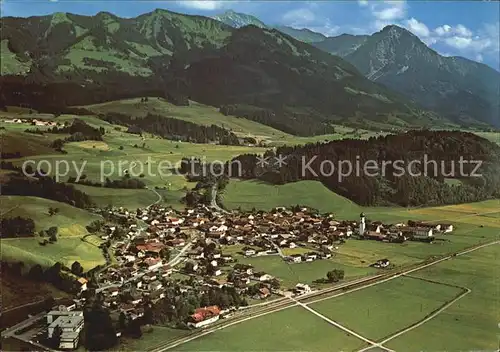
x: 162, y: 51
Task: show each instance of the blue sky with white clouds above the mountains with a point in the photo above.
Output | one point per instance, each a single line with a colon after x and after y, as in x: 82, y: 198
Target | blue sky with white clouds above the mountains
x: 453, y: 28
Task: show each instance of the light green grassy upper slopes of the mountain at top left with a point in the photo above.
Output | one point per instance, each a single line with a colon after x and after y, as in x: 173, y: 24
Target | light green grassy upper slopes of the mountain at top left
x: 104, y: 43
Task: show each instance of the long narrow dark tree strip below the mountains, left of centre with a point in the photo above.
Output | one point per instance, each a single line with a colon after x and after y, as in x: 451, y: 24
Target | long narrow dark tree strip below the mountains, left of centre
x: 174, y: 129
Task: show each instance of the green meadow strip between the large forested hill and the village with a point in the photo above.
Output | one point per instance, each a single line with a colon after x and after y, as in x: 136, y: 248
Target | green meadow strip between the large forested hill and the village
x: 263, y: 196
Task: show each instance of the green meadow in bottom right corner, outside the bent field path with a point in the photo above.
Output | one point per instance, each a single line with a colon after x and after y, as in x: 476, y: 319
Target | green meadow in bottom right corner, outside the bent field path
x: 471, y: 324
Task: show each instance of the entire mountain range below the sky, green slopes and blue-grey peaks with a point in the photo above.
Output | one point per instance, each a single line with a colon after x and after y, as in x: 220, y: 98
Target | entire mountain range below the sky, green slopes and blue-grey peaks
x: 281, y: 75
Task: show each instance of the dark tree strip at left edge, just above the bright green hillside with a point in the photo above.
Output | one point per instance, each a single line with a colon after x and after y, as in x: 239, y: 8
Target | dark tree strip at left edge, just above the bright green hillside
x: 46, y: 187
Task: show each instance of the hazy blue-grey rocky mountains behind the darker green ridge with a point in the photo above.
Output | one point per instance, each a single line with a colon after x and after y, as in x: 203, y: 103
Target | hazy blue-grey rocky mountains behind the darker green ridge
x: 460, y: 89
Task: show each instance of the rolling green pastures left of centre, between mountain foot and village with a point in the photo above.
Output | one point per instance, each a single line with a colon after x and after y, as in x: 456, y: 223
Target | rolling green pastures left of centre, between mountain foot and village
x: 115, y: 154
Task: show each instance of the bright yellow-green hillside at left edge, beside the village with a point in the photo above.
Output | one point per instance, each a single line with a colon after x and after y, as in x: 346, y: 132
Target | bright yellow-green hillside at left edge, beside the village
x: 69, y: 247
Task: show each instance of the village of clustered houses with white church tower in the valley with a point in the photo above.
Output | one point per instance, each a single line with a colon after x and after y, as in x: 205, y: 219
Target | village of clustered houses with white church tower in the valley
x: 197, y: 252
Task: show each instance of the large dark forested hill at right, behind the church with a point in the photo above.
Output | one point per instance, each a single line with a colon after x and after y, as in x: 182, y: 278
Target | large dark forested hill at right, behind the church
x: 402, y: 170
